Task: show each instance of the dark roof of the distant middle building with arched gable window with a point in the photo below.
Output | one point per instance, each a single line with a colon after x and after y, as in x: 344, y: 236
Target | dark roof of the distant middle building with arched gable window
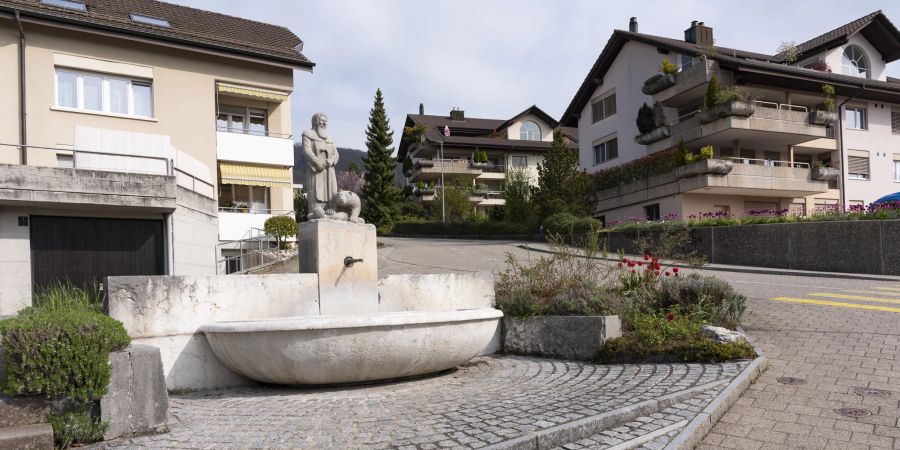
x: 478, y: 132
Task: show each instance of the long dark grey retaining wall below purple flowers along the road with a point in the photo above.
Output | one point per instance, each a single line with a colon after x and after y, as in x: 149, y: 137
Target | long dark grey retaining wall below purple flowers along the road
x: 865, y: 246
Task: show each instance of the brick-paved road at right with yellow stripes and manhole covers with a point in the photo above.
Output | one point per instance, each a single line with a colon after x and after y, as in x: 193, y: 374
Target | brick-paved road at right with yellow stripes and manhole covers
x: 835, y: 348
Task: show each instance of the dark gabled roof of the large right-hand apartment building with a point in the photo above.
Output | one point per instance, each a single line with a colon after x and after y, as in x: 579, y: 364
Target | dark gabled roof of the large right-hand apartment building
x: 875, y: 27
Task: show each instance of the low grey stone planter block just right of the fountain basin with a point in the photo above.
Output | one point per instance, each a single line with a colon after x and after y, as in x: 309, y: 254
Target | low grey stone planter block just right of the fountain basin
x: 567, y: 337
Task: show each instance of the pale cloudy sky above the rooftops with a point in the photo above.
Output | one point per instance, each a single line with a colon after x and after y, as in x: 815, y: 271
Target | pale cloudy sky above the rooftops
x: 494, y: 58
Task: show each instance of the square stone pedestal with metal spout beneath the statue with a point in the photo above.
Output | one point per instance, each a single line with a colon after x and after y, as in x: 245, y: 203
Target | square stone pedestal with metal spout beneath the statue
x: 343, y: 289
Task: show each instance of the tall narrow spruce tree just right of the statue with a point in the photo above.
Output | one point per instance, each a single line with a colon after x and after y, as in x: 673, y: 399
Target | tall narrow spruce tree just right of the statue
x: 380, y: 196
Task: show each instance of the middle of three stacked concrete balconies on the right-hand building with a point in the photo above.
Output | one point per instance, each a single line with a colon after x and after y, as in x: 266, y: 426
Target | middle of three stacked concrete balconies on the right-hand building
x: 755, y: 124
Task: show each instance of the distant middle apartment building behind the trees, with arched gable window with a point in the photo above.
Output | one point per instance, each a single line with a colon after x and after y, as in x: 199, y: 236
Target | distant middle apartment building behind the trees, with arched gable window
x: 477, y: 153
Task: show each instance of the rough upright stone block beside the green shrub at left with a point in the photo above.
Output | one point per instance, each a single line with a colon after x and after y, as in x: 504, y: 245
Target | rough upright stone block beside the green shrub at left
x: 136, y: 401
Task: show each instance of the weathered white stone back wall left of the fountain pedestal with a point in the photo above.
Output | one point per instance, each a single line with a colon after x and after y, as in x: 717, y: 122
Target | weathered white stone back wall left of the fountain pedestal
x: 174, y: 305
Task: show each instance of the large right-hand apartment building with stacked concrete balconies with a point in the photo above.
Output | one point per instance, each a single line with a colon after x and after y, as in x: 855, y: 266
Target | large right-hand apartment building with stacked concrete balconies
x: 780, y: 144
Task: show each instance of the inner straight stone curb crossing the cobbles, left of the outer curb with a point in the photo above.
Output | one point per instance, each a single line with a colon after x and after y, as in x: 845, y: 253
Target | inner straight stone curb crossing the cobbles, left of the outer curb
x: 588, y: 426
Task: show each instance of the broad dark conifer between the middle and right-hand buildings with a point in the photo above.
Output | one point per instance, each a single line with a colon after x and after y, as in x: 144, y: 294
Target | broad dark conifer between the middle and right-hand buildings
x: 562, y: 187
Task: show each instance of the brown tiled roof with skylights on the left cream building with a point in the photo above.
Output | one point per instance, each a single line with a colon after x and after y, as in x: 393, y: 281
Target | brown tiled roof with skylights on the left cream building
x: 189, y: 26
